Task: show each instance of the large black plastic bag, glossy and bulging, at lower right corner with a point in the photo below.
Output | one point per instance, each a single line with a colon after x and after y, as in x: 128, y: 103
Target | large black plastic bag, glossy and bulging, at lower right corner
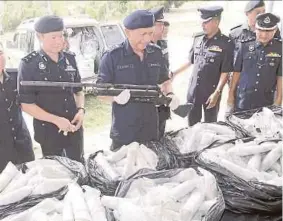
x: 240, y: 196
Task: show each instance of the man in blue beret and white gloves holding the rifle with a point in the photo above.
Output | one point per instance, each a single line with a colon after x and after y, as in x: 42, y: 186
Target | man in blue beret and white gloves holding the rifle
x: 135, y: 61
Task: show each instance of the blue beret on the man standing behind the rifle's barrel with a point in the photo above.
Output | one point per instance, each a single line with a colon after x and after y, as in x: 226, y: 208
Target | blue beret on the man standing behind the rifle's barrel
x: 49, y: 23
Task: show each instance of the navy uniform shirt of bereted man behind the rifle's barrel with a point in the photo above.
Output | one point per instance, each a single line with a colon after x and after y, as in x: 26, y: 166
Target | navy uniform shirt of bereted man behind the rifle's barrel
x: 38, y: 66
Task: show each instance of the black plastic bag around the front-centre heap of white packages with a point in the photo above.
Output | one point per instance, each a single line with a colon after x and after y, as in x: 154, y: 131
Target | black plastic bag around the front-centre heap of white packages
x: 214, y: 213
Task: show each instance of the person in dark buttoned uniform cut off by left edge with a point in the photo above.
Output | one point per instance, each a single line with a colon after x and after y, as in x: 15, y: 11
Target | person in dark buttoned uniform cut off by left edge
x: 15, y: 140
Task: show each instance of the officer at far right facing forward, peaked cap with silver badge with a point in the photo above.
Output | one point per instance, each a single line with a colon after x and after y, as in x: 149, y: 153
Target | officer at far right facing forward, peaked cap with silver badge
x: 258, y: 68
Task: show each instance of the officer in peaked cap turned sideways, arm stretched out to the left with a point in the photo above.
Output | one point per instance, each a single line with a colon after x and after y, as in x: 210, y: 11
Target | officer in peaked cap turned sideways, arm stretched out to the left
x: 212, y: 56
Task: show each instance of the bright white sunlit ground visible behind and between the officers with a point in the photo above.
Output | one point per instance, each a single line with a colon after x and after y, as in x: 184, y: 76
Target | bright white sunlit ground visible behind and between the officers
x: 184, y: 22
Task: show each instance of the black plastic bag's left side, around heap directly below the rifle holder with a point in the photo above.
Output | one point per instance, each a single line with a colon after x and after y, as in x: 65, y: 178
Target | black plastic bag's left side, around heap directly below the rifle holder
x: 98, y: 178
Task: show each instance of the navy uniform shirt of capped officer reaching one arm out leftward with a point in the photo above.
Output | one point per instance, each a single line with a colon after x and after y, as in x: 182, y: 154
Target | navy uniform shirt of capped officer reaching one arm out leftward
x: 210, y: 57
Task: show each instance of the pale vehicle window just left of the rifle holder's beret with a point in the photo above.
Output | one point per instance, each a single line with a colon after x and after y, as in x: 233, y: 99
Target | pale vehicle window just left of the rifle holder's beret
x: 112, y: 34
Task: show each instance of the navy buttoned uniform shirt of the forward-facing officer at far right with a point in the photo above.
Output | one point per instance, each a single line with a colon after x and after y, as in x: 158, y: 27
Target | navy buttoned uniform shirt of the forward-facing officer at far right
x: 259, y: 67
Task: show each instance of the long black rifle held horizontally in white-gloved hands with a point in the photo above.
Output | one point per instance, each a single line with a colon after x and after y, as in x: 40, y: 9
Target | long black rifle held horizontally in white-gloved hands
x: 139, y: 93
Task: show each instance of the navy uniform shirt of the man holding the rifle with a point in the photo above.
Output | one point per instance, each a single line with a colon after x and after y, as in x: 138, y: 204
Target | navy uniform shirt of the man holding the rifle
x: 133, y: 121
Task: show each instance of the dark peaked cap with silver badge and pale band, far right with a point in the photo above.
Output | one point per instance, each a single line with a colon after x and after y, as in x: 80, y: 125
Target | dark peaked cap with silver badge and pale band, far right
x: 267, y: 21
